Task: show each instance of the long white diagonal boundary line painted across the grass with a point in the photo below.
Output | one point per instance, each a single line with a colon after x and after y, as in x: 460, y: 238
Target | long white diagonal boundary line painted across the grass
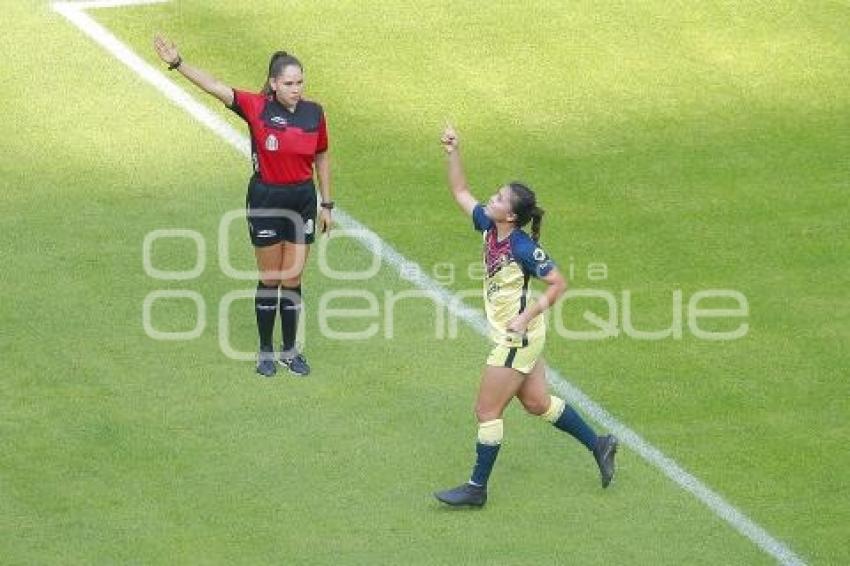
x: 75, y: 13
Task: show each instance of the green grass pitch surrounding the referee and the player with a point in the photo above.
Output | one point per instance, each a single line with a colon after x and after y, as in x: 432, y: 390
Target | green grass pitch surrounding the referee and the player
x: 686, y: 145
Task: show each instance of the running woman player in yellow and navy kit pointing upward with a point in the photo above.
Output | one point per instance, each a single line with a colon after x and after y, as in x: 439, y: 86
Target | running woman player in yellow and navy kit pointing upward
x: 514, y: 367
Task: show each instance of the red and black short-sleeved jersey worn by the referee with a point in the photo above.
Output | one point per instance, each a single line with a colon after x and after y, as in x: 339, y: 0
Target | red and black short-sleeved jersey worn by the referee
x: 284, y: 144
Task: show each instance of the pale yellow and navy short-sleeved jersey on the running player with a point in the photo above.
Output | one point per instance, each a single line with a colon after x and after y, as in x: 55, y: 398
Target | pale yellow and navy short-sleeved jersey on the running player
x: 509, y: 263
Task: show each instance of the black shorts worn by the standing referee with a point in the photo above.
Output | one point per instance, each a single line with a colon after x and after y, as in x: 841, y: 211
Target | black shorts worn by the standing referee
x: 281, y: 213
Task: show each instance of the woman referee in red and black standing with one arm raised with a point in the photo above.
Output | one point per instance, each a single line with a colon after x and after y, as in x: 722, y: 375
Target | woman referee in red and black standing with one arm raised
x: 288, y: 139
